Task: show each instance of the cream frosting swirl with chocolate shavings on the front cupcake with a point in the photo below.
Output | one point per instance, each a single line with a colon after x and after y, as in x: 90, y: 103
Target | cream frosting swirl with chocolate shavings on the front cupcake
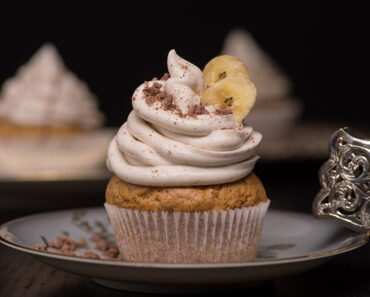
x: 169, y: 139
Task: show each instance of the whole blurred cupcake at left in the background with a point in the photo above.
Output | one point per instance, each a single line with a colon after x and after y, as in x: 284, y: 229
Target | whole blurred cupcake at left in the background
x: 49, y: 119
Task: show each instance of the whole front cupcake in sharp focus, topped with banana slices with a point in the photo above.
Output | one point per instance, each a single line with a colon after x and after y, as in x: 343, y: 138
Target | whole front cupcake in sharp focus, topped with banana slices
x: 183, y: 189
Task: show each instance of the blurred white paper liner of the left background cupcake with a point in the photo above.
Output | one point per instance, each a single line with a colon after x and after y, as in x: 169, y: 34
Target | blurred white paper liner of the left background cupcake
x: 55, y: 153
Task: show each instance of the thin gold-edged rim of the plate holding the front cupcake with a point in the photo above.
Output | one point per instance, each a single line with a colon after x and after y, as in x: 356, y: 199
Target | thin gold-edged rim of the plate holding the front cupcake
x: 362, y: 239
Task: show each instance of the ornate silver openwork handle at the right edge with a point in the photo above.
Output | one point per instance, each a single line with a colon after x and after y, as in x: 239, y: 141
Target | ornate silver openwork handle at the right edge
x: 345, y: 183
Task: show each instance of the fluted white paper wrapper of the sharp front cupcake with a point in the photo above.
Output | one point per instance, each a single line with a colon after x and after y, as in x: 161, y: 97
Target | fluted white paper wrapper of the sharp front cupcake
x: 188, y: 237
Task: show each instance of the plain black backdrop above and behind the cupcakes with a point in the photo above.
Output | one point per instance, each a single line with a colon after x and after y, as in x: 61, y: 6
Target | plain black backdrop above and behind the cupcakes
x: 325, y: 50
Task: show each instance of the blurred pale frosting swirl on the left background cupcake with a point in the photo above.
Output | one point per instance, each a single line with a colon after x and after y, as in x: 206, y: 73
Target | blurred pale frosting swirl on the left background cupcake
x: 45, y: 93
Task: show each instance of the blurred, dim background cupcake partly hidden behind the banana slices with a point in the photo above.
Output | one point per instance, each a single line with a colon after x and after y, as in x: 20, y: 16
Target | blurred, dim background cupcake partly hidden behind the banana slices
x: 276, y: 110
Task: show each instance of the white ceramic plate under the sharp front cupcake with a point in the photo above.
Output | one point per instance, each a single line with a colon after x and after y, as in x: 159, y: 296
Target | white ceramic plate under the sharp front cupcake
x: 291, y: 243
